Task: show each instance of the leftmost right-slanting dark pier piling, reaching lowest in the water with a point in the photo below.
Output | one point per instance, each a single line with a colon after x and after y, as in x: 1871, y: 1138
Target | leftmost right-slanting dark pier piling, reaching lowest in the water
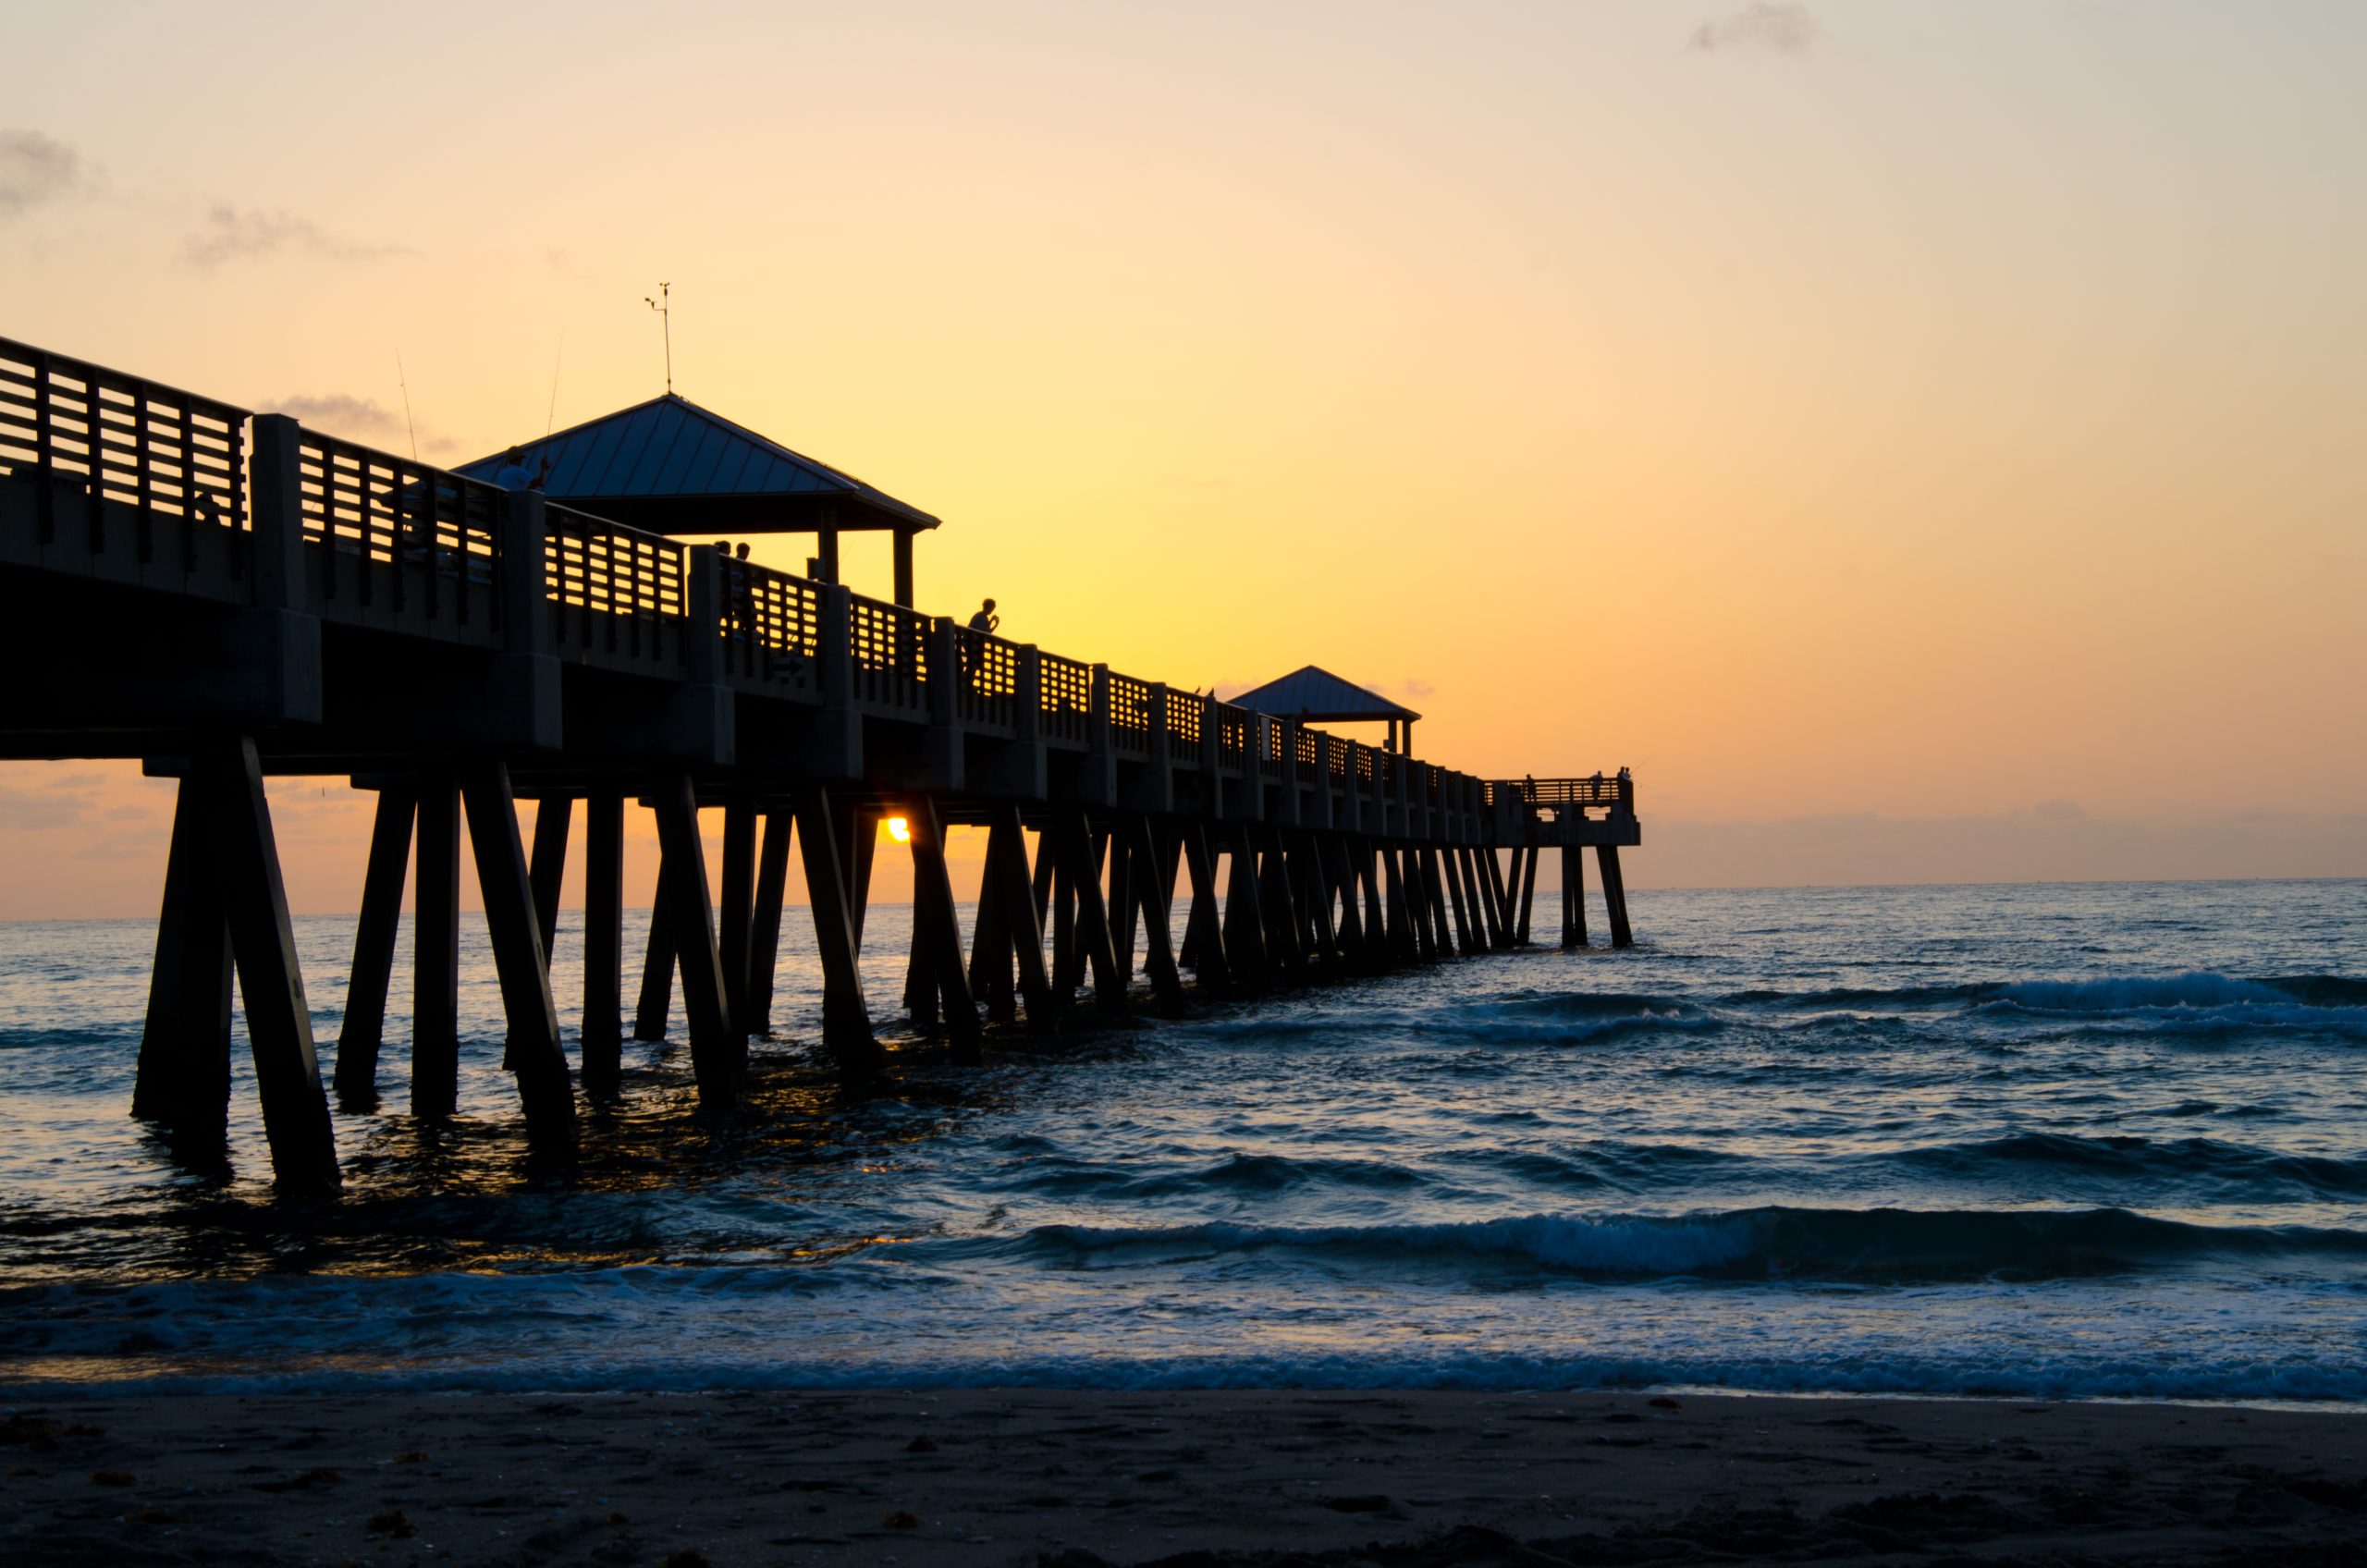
x: 271, y: 982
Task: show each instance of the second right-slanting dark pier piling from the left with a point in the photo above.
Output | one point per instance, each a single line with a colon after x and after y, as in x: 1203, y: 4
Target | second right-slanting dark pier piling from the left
x: 524, y: 972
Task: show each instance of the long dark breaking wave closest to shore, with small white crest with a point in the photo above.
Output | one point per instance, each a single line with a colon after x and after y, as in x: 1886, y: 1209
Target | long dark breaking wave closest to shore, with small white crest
x: 1750, y: 1245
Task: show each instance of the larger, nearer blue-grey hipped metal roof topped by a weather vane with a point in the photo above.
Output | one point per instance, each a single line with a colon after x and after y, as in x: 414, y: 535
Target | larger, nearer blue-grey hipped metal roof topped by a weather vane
x: 673, y: 451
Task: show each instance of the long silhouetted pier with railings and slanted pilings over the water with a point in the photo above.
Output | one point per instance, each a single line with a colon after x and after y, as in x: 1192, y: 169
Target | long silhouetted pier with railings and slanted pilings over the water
x: 231, y: 596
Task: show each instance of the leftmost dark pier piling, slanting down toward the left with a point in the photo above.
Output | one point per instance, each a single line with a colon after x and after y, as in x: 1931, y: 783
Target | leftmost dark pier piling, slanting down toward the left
x: 183, y: 1079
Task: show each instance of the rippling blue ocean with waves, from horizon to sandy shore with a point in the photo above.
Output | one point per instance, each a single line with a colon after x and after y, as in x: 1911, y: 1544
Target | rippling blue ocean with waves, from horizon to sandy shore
x: 1989, y: 1140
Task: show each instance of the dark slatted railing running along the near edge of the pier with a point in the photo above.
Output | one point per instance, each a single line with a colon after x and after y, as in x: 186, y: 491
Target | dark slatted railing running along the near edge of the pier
x: 399, y: 546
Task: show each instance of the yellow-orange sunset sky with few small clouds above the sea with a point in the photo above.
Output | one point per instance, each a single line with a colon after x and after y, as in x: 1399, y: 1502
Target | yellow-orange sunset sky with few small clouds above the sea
x: 1918, y: 439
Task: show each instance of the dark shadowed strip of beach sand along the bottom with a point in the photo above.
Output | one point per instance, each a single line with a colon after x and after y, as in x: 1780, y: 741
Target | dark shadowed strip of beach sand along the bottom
x: 1097, y: 1477
